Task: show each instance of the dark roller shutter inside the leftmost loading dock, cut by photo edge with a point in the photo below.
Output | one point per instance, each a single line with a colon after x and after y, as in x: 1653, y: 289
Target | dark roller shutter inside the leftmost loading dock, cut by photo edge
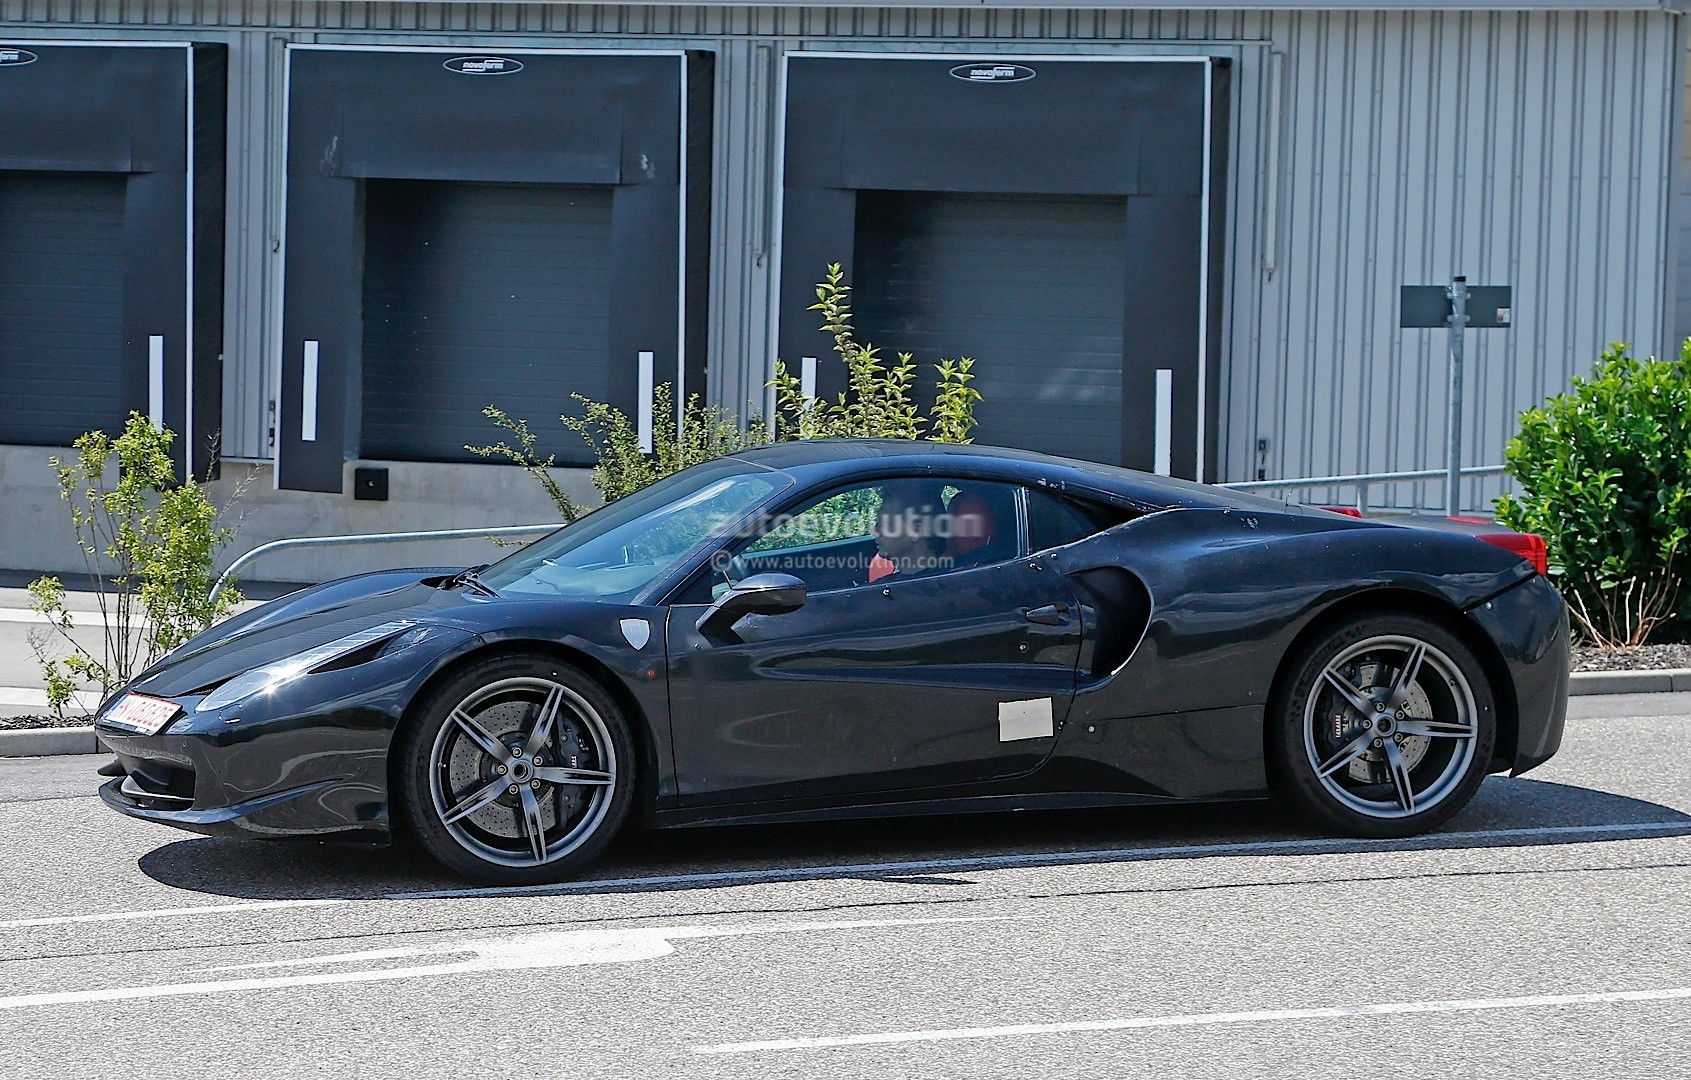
x: 62, y: 307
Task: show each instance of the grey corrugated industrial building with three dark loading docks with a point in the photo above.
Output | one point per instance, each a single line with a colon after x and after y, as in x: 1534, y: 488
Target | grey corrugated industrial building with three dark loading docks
x: 326, y: 236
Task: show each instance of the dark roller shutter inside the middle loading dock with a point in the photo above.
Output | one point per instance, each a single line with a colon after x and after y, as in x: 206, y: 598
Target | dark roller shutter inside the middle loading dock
x: 481, y: 295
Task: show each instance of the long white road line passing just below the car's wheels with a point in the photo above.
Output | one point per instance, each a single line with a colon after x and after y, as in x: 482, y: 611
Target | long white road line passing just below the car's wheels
x: 928, y: 866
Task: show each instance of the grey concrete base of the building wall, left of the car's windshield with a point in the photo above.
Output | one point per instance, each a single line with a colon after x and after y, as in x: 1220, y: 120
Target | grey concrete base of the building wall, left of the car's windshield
x: 36, y: 526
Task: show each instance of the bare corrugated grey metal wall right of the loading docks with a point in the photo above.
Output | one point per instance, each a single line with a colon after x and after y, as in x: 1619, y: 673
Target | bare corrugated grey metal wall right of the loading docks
x: 1516, y: 150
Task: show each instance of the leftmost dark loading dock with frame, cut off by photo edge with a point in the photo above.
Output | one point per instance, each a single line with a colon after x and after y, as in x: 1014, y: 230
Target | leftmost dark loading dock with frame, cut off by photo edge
x: 112, y: 241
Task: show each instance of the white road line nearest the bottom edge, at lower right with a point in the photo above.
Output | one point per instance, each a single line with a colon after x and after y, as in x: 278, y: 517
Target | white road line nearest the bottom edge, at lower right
x: 1195, y: 1020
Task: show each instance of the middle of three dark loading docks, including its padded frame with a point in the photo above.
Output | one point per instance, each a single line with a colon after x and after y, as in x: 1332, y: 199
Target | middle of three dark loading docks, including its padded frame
x: 483, y: 231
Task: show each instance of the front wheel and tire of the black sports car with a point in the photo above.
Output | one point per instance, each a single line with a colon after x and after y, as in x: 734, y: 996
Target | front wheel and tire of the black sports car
x: 572, y: 792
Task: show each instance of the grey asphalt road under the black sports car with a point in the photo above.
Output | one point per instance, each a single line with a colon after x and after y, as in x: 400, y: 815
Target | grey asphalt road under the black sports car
x: 1546, y: 932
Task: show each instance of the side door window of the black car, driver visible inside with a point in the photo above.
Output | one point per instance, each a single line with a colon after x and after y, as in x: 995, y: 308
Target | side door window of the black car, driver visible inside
x: 899, y: 528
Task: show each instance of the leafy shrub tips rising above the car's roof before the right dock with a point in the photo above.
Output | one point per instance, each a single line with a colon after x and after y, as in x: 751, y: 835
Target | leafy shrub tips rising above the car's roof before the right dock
x: 877, y: 401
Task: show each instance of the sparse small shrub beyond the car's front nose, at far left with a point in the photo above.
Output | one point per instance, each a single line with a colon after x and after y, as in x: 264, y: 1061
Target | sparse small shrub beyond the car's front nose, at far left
x: 148, y: 543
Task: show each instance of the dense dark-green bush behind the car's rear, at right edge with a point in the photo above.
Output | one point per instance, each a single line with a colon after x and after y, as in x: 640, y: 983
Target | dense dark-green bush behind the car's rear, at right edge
x: 1606, y: 476
